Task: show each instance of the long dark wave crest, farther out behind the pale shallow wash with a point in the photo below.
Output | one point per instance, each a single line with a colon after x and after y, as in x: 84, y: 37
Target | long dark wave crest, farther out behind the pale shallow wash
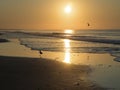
x: 79, y: 38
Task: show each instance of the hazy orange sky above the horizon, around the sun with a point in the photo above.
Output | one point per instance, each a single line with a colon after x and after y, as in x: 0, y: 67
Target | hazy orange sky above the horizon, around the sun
x: 50, y: 14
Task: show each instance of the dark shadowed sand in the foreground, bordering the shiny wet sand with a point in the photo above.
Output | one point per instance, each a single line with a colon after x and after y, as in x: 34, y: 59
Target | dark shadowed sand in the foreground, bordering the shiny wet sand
x: 17, y: 73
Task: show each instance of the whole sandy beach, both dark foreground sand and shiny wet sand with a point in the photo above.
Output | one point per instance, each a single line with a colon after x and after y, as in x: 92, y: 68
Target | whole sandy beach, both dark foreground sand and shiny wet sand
x: 24, y: 69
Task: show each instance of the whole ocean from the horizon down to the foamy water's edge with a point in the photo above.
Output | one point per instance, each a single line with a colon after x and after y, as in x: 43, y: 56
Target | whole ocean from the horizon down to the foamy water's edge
x: 80, y: 41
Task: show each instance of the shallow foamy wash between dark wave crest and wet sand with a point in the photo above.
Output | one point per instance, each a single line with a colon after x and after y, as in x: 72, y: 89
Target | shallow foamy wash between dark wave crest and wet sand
x: 59, y: 46
